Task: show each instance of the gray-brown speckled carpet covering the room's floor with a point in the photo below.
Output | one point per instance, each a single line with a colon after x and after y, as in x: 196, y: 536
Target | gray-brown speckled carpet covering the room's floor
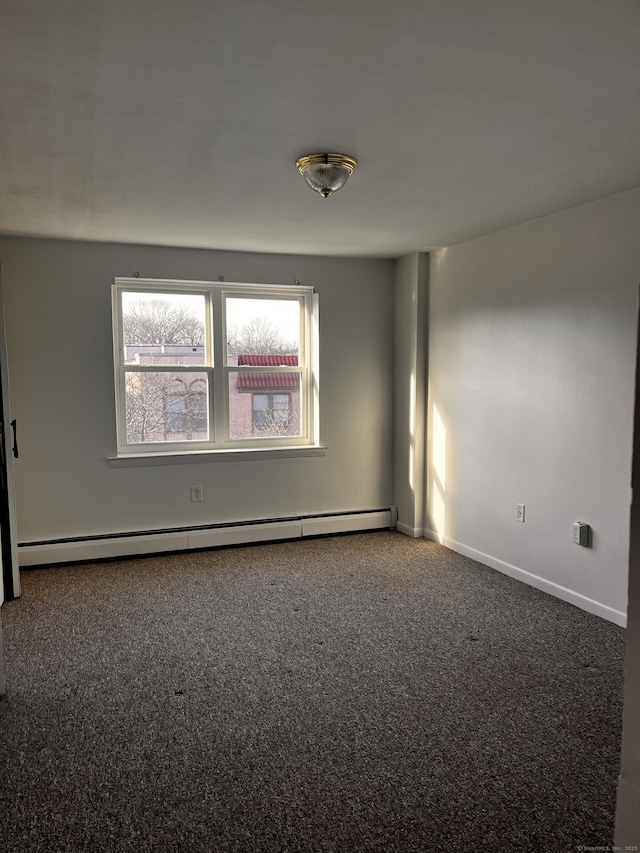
x: 360, y: 693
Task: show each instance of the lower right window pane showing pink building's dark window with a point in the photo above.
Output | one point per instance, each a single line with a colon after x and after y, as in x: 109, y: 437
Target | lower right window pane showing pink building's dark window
x: 264, y: 405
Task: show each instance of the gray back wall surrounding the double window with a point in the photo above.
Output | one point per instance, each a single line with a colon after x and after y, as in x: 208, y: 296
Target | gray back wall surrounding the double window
x: 58, y: 314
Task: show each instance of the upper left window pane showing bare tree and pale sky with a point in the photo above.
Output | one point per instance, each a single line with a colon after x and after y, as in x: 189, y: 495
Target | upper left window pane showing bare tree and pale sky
x: 163, y: 328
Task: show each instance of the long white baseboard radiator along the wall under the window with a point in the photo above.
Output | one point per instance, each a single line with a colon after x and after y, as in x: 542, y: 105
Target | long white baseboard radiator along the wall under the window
x: 106, y: 546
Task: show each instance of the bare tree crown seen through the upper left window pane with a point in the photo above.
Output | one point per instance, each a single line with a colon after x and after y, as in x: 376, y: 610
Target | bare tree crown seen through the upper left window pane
x: 160, y: 321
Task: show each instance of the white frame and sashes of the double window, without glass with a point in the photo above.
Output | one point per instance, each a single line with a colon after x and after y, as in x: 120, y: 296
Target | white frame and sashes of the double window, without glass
x: 217, y: 369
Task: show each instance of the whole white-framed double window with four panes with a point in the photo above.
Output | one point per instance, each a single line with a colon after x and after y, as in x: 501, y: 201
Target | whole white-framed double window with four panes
x: 204, y: 366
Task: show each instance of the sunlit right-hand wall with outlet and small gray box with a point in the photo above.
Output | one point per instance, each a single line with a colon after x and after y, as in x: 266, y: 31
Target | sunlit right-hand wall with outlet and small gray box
x: 531, y: 381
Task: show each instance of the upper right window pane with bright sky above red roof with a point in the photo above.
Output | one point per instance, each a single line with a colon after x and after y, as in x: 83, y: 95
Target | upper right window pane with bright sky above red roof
x: 262, y: 327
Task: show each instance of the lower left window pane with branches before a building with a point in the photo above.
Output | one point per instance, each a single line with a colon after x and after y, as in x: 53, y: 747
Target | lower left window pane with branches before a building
x: 166, y: 407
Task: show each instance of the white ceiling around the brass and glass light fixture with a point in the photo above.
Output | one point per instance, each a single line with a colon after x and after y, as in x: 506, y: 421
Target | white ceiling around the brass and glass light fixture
x: 178, y: 122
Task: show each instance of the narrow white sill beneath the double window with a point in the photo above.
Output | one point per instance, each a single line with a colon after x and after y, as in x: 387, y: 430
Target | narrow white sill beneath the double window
x: 188, y: 457
